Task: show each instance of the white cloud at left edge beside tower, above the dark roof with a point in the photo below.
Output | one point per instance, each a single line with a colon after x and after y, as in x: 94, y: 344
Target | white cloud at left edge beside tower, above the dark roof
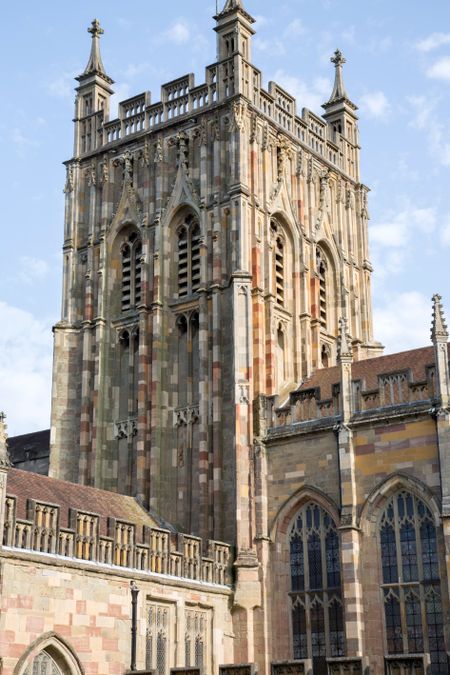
x: 25, y: 370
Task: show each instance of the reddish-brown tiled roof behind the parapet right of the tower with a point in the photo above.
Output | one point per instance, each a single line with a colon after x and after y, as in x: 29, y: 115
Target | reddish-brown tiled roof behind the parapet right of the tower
x: 415, y: 360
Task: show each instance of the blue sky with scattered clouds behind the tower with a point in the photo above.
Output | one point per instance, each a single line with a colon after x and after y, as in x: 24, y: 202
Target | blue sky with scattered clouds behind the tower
x: 397, y: 71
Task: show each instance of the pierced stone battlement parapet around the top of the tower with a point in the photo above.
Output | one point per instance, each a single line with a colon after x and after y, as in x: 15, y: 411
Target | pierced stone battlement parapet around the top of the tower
x: 182, y: 98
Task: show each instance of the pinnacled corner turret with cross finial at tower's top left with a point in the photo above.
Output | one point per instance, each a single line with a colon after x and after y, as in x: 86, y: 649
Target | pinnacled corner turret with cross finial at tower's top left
x: 93, y: 96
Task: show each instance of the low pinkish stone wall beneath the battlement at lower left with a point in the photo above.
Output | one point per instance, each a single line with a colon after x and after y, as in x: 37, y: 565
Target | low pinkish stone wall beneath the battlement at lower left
x: 85, y: 612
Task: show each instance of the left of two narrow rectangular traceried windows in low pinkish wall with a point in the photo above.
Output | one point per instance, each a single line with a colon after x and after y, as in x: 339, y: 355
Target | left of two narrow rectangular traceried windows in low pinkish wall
x: 157, y: 645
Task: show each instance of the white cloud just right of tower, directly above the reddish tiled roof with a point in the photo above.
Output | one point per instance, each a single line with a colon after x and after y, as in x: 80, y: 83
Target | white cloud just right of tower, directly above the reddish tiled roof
x: 403, y: 320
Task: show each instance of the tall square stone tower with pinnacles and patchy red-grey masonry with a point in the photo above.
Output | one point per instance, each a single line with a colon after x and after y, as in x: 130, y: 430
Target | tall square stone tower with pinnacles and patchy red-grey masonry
x: 212, y: 241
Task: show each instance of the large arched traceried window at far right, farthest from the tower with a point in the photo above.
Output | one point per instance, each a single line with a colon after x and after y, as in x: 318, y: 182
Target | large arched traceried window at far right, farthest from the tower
x: 410, y: 581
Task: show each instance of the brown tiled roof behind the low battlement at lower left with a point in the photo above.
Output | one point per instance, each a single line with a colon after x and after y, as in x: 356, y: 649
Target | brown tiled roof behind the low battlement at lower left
x: 26, y: 485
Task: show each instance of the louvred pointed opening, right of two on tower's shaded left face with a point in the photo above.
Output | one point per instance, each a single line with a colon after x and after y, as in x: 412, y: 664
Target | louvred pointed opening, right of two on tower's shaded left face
x: 188, y: 256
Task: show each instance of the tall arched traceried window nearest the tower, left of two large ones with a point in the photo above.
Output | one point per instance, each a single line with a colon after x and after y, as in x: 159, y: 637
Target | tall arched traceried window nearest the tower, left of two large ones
x: 316, y: 603
